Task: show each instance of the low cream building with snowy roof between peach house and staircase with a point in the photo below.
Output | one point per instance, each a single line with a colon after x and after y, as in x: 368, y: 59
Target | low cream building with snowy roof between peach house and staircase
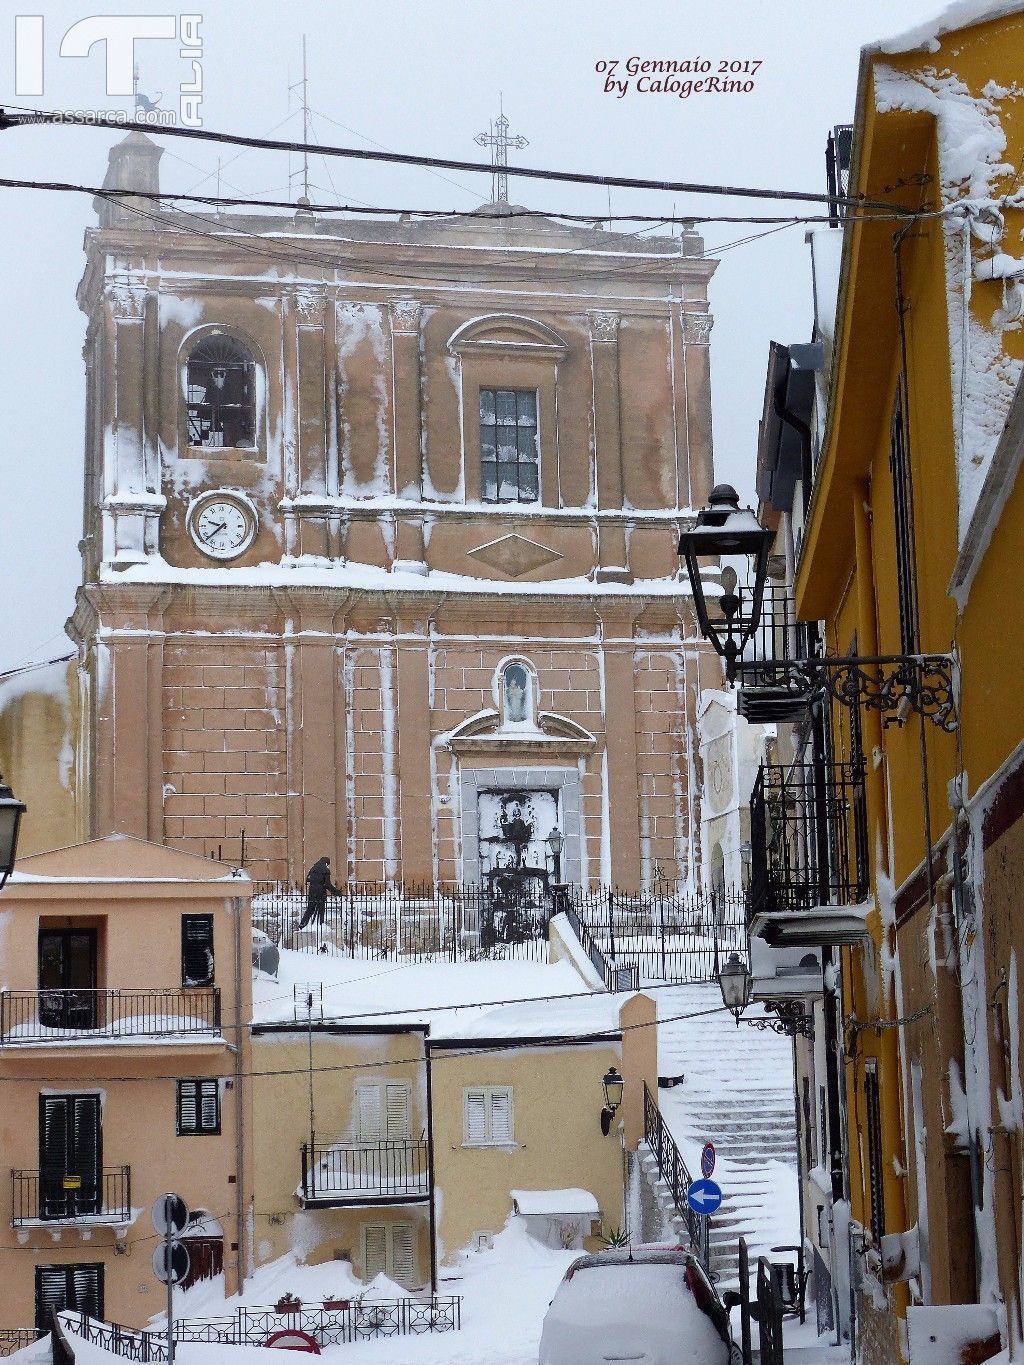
x: 427, y: 1130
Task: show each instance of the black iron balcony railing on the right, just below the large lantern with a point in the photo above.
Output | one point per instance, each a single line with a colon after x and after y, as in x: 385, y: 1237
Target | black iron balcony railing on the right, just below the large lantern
x: 809, y: 837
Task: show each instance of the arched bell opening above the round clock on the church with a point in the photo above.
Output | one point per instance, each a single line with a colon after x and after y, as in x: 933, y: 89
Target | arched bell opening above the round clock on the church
x: 222, y: 395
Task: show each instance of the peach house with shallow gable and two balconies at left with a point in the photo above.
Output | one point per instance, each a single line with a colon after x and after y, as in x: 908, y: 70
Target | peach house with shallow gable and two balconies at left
x: 124, y: 1057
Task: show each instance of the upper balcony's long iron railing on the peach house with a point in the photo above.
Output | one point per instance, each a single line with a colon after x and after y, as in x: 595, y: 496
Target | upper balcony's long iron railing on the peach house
x: 58, y: 1016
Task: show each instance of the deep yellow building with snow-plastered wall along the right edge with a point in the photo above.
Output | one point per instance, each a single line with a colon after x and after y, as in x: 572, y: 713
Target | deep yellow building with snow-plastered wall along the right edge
x: 911, y: 547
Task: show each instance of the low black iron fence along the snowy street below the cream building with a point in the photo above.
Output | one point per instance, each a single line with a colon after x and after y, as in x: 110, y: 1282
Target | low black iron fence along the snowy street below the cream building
x: 354, y: 1321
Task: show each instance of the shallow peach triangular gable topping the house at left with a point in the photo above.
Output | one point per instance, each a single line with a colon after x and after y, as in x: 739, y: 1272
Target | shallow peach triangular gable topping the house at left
x: 119, y: 858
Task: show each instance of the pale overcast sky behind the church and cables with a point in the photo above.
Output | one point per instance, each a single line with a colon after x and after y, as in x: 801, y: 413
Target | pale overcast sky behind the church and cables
x: 421, y: 78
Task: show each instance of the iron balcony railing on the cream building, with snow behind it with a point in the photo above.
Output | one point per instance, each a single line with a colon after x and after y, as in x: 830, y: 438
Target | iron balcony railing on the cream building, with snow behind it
x: 345, y: 1172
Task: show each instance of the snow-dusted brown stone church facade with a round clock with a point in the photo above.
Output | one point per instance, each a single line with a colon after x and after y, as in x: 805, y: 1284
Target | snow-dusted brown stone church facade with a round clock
x: 380, y: 548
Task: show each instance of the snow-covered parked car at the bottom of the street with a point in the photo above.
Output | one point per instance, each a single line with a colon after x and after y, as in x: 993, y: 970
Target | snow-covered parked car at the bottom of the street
x: 652, y: 1306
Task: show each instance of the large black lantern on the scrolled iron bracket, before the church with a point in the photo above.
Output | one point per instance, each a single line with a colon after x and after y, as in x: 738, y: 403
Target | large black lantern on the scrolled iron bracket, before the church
x: 726, y: 529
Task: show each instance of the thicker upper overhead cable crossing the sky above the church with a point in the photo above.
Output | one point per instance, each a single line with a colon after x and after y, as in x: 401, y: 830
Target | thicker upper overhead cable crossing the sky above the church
x: 46, y: 117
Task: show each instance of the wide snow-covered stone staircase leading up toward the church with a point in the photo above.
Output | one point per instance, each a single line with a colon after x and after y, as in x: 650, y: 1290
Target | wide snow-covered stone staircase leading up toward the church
x: 738, y: 1091
